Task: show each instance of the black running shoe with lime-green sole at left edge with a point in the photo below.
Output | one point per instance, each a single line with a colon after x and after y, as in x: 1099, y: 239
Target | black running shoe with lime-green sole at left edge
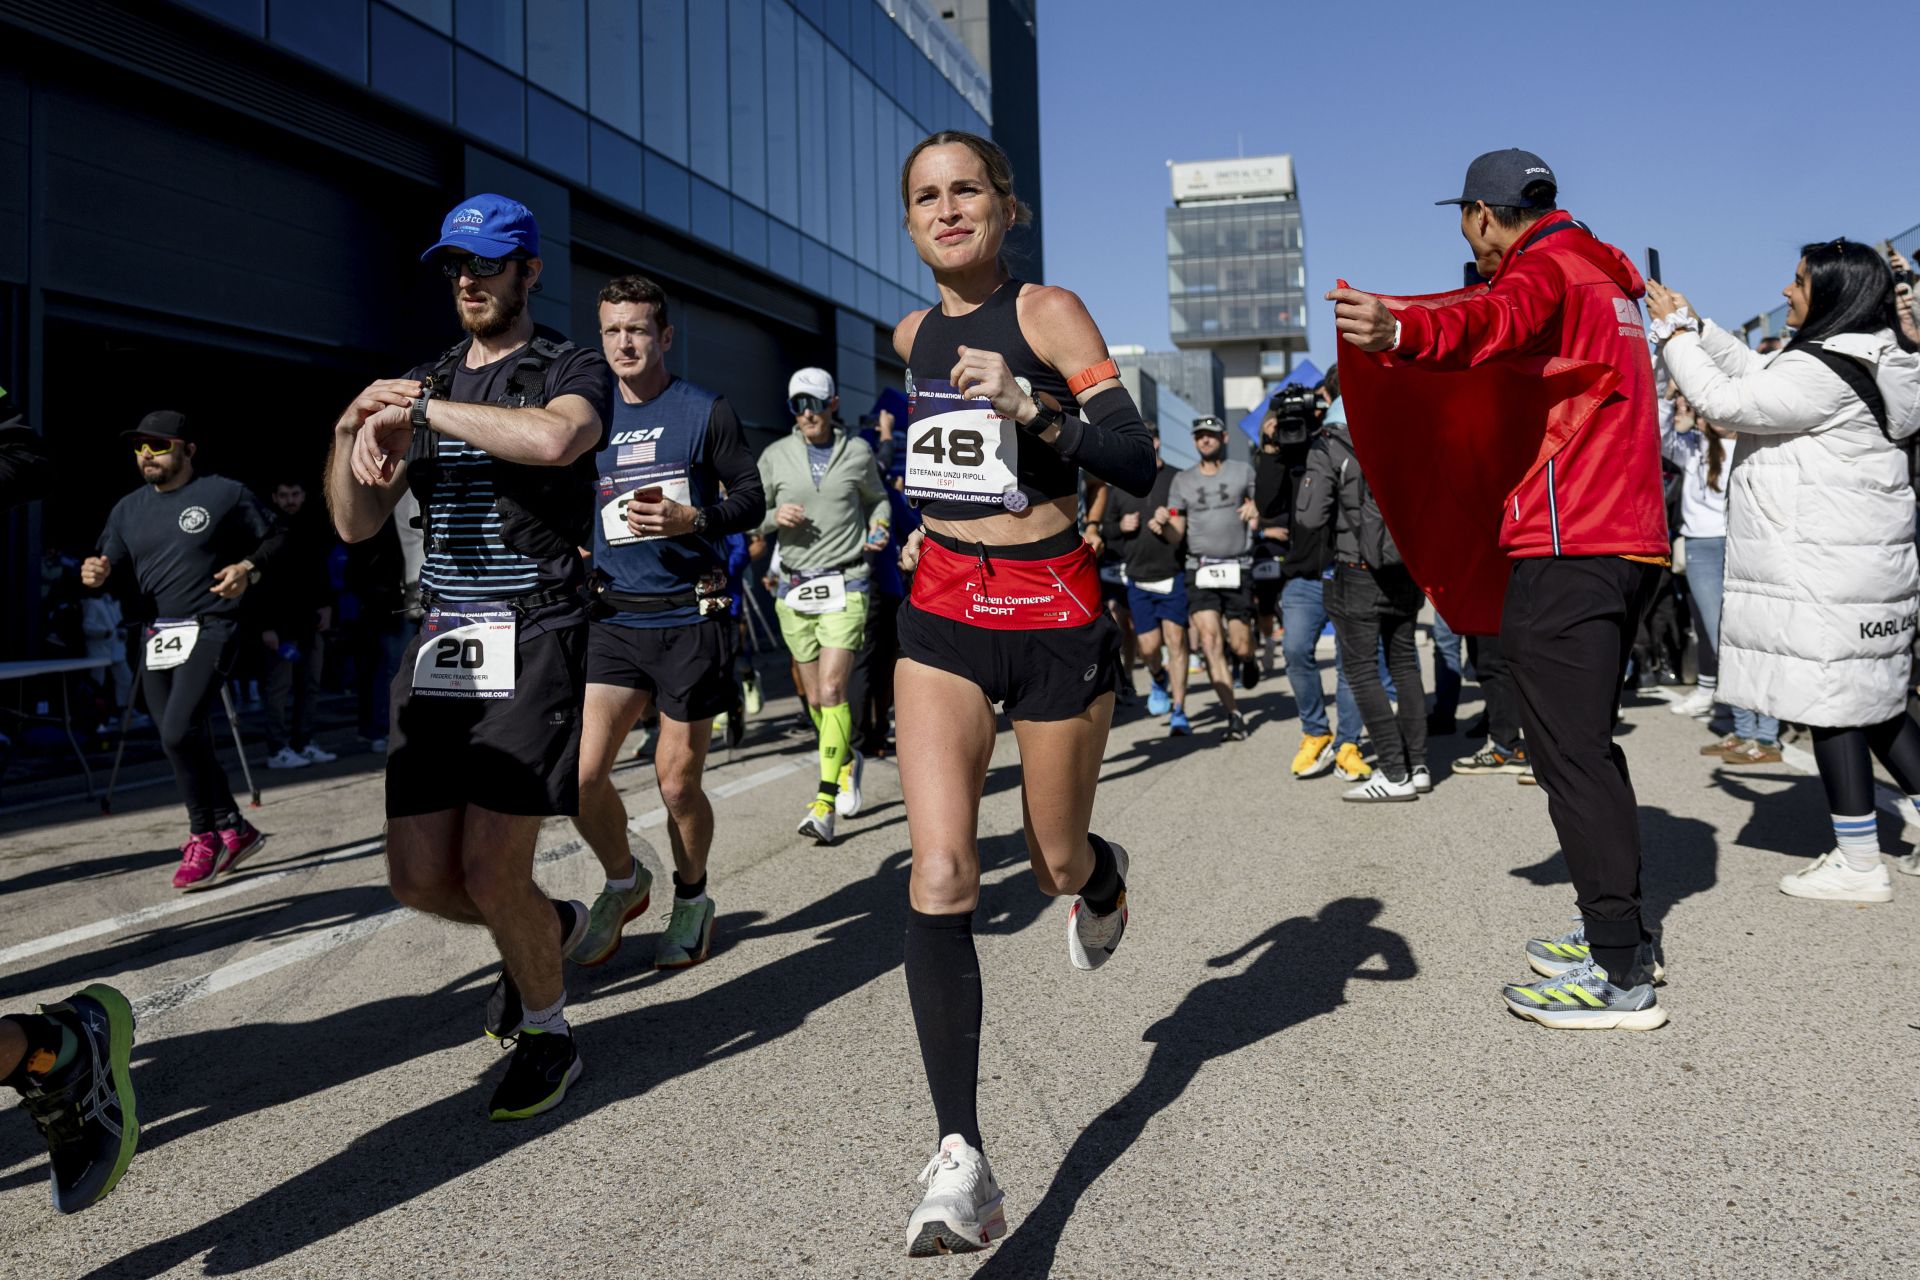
x: 85, y: 1110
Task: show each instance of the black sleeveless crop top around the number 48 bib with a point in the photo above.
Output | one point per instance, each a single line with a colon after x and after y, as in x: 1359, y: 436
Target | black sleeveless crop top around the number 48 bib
x: 996, y: 327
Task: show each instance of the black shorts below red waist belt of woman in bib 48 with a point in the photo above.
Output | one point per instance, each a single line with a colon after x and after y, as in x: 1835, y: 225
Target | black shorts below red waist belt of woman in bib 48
x: 1042, y: 675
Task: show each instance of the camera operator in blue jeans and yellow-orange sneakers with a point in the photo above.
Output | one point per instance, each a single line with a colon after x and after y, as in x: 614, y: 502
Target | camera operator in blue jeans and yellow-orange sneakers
x: 1305, y: 559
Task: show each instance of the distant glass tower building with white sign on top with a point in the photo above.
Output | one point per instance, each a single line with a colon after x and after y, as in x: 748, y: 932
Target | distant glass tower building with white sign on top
x: 1237, y: 270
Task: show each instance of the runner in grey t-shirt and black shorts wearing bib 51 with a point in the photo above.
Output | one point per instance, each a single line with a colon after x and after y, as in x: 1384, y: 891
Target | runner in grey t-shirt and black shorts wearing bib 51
x: 1214, y: 510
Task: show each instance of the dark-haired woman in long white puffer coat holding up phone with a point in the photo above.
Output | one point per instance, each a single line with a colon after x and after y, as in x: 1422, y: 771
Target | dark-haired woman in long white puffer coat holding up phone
x: 1821, y: 575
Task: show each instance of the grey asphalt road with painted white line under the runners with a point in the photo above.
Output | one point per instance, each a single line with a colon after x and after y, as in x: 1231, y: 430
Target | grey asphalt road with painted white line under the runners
x: 1297, y: 1064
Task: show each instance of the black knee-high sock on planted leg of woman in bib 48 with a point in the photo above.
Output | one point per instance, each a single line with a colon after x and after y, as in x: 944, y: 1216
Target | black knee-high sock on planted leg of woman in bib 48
x: 944, y: 987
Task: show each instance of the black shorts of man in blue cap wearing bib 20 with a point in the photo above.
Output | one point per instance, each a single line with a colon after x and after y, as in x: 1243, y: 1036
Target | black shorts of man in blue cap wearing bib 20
x: 516, y: 755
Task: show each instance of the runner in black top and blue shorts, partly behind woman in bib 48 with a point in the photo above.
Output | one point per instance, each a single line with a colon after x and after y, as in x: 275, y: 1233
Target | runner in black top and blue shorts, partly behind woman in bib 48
x: 1141, y: 531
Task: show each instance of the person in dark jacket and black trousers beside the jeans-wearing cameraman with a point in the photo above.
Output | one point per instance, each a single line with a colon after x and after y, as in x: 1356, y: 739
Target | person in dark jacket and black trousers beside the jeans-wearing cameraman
x: 1372, y: 600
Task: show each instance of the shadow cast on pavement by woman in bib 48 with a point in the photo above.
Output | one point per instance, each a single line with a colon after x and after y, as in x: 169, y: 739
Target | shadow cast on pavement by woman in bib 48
x: 1301, y: 974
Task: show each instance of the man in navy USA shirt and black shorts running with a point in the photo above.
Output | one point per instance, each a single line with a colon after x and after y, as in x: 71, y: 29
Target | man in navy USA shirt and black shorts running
x: 675, y: 481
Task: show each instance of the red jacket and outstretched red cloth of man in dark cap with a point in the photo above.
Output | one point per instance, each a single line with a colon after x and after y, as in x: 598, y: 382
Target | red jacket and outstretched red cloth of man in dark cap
x: 1533, y: 398
